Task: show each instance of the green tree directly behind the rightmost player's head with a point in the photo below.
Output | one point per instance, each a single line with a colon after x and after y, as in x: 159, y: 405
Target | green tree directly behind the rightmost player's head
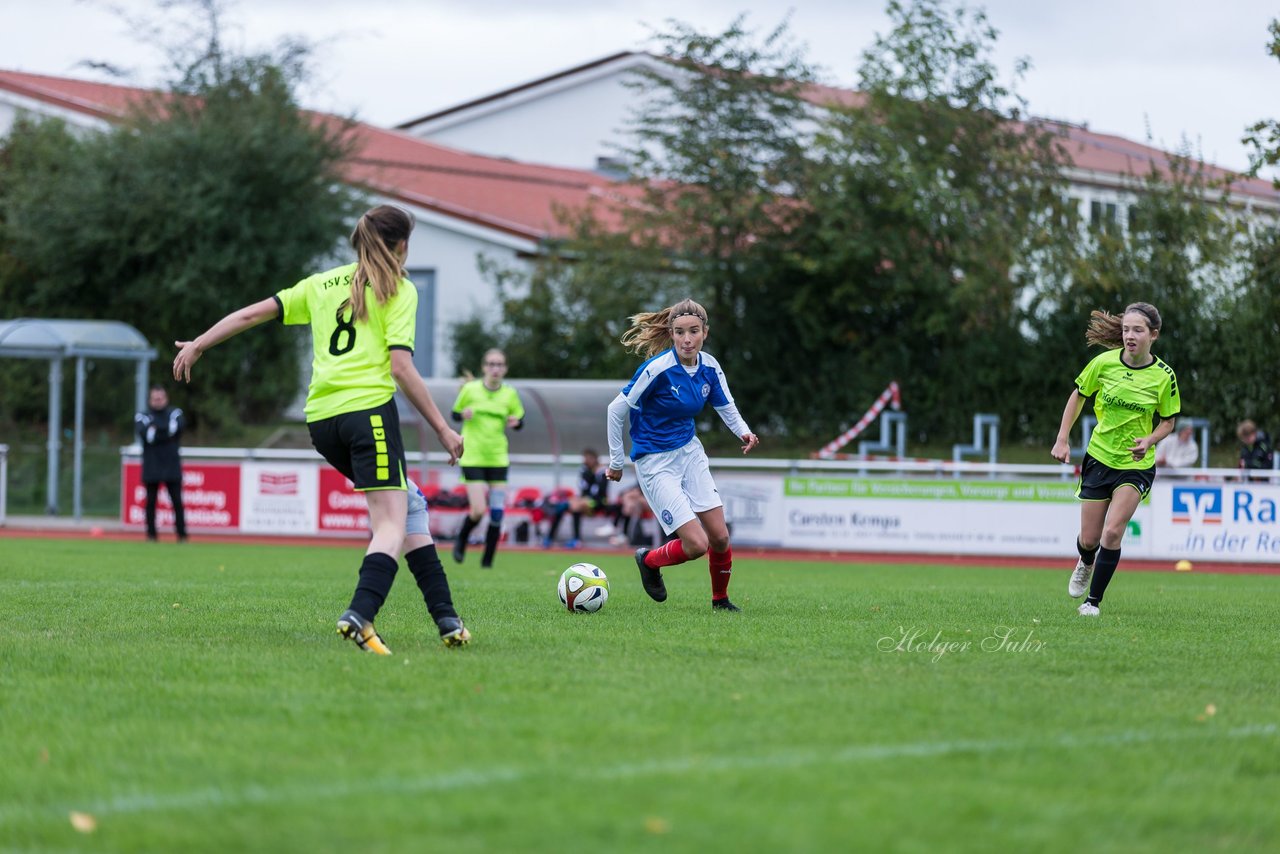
x: 1185, y: 248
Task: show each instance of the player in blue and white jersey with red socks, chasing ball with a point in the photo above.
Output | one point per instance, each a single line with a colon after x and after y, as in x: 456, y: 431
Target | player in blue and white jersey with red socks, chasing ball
x: 665, y: 396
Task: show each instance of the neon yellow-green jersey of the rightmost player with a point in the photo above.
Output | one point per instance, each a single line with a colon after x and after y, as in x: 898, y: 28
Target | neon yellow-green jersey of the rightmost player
x: 1127, y: 401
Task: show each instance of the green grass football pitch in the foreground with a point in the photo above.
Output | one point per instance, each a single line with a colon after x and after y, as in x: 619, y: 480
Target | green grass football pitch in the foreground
x: 196, y: 698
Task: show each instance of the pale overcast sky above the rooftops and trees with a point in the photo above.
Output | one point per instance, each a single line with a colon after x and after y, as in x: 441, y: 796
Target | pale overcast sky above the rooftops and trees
x: 1165, y: 68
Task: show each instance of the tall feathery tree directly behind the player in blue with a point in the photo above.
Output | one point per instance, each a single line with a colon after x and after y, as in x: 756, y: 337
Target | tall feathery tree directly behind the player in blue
x: 716, y: 162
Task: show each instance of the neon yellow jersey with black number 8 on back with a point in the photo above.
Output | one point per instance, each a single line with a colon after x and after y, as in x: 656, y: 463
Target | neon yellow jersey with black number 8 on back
x: 351, y: 364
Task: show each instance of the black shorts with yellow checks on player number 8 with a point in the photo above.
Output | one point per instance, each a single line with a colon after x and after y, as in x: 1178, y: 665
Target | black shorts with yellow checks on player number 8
x: 364, y: 446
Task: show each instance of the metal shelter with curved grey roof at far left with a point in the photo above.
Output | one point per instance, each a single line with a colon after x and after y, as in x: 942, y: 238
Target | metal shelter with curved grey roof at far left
x: 58, y: 341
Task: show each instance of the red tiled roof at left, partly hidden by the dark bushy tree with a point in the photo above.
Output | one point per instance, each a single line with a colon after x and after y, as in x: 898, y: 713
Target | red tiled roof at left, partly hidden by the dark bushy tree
x: 514, y: 198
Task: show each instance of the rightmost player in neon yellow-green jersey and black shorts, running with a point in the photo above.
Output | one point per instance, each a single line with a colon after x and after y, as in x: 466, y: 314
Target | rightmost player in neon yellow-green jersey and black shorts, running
x: 1132, y: 387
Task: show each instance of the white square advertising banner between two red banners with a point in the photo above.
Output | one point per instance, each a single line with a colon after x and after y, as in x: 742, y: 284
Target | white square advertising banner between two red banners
x: 280, y: 497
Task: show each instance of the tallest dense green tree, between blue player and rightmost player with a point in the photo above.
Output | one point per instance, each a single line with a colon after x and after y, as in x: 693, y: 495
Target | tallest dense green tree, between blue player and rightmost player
x: 938, y: 207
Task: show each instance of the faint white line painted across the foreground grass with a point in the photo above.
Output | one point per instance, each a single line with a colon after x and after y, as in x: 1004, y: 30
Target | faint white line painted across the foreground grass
x: 216, y: 798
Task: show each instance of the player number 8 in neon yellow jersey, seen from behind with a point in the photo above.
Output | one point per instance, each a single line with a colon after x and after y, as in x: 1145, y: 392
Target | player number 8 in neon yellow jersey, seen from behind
x: 363, y: 325
